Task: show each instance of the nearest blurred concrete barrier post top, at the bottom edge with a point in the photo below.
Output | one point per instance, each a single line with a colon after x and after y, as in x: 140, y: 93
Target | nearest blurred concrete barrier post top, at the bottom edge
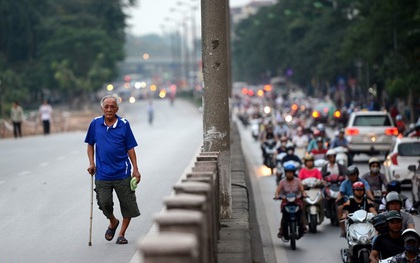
x: 170, y: 247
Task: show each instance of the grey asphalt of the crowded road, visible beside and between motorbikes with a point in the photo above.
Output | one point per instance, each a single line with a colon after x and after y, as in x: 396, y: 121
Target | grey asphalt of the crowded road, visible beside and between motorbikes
x: 323, y: 246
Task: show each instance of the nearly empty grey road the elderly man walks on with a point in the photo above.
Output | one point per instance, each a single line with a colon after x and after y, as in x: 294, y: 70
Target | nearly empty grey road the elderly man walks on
x: 45, y: 188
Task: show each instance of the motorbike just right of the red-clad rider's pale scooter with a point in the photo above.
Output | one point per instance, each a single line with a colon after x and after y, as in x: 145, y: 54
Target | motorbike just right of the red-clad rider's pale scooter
x: 331, y: 191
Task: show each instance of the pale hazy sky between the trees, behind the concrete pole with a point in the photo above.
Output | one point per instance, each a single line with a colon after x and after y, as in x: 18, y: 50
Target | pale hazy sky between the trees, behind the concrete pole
x: 149, y: 15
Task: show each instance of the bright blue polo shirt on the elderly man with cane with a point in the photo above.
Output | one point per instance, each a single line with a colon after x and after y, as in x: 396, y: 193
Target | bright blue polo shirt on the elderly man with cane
x: 112, y: 145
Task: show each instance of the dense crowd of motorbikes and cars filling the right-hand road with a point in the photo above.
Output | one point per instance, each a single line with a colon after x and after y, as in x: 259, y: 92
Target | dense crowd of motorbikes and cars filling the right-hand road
x: 336, y: 173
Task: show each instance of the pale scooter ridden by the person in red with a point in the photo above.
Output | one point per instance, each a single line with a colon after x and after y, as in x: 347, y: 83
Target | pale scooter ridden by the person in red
x: 313, y: 203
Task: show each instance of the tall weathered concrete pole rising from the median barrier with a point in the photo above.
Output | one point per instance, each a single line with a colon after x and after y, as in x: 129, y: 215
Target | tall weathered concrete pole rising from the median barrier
x: 216, y: 118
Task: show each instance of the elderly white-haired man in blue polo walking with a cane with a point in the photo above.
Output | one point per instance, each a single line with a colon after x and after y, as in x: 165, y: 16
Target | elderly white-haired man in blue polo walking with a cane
x: 115, y: 142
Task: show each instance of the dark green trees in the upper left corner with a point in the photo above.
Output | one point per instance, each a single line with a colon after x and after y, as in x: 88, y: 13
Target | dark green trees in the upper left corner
x: 62, y: 47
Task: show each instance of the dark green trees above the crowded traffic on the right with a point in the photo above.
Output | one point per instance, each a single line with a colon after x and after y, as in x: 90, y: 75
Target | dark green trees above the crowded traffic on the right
x: 323, y: 40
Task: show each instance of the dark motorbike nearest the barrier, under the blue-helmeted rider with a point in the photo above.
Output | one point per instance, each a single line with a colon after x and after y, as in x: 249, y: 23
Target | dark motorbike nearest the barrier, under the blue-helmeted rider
x: 292, y: 219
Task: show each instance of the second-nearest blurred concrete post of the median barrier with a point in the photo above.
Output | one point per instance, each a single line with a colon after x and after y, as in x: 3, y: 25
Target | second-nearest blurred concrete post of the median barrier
x: 184, y: 221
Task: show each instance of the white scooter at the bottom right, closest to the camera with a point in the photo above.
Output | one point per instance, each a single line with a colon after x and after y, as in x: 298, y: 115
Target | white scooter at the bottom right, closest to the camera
x: 360, y: 233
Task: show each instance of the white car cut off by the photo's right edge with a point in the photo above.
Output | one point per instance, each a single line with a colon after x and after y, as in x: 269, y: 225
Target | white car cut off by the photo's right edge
x: 404, y: 152
